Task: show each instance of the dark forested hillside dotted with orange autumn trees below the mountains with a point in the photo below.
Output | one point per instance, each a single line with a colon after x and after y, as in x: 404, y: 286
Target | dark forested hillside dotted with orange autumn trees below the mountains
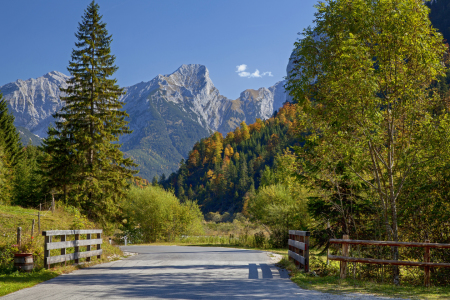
x: 219, y: 171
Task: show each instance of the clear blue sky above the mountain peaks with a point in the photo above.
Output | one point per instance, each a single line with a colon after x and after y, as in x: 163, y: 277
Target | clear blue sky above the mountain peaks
x: 156, y: 37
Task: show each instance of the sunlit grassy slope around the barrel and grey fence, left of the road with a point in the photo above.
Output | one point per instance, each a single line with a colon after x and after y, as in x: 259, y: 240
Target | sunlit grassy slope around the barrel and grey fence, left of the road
x: 12, y: 217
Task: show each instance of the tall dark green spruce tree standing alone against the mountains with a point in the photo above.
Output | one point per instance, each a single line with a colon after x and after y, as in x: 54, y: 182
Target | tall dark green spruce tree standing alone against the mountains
x: 88, y: 127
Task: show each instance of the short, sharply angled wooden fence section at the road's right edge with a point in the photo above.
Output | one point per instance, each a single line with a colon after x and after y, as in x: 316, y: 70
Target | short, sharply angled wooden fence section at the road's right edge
x: 299, y: 248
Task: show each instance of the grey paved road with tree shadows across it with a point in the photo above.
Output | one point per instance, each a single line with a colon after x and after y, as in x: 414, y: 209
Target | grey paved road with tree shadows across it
x: 178, y: 272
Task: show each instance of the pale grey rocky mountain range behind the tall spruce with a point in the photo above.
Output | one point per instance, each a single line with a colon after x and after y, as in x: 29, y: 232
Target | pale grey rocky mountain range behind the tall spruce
x: 168, y: 114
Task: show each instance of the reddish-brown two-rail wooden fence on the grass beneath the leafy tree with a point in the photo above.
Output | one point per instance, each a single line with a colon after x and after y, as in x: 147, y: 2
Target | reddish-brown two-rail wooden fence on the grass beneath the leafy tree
x: 346, y: 242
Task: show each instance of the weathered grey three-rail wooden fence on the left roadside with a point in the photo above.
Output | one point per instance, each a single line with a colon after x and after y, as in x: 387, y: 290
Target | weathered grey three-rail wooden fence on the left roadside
x: 63, y: 244
